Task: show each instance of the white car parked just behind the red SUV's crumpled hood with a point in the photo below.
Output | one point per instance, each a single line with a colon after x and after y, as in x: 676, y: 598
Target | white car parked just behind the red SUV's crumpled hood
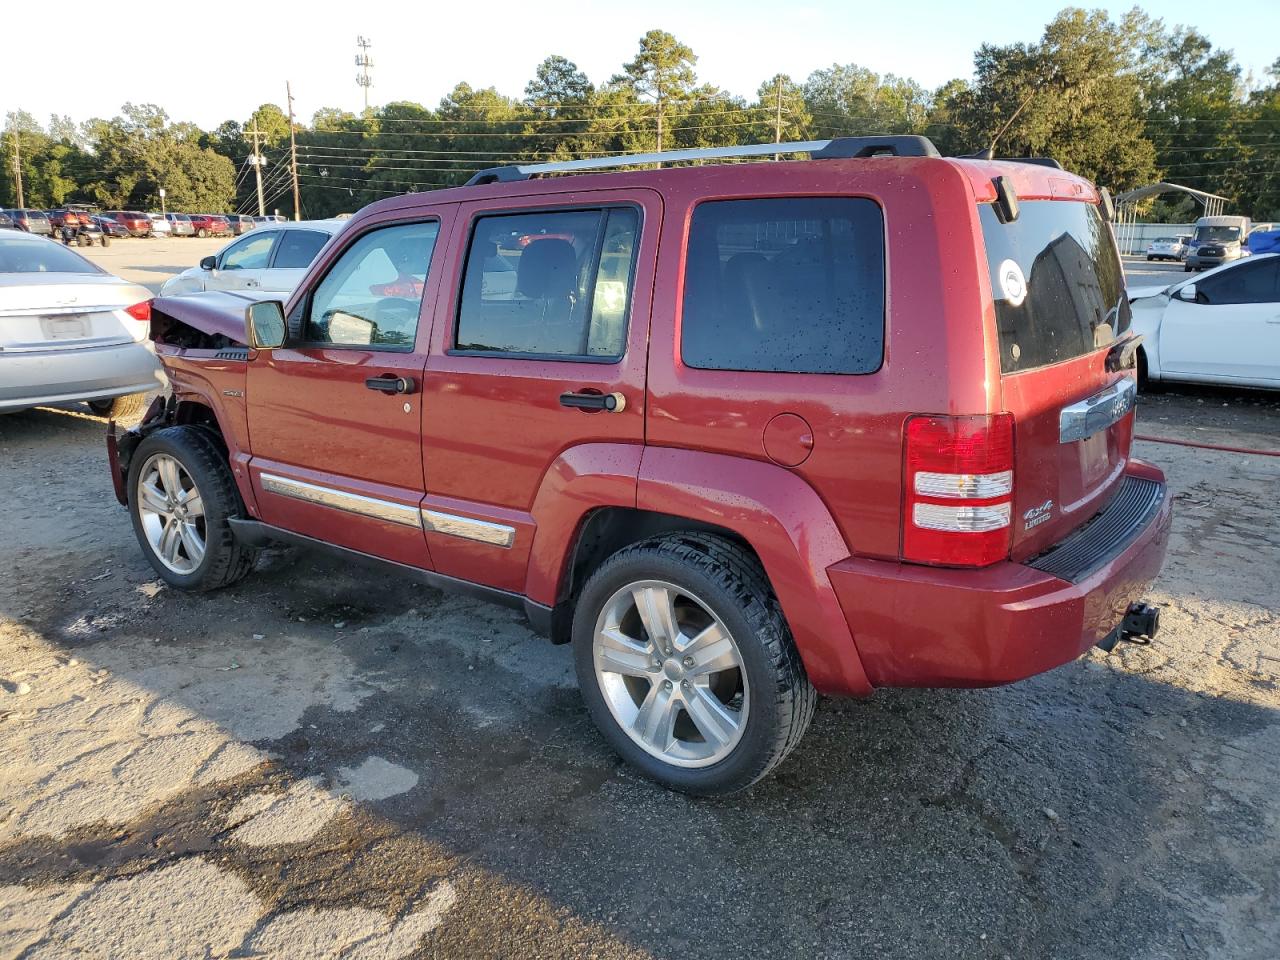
x: 272, y: 259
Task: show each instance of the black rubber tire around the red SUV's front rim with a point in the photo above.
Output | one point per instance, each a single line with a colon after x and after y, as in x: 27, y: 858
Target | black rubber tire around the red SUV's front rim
x: 226, y: 560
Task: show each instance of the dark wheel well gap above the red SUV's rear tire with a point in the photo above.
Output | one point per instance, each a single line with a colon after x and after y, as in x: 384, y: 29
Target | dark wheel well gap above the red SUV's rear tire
x: 607, y: 531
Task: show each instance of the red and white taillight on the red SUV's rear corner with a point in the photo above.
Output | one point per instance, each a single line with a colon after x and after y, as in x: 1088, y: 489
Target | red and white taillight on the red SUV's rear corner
x: 959, y: 490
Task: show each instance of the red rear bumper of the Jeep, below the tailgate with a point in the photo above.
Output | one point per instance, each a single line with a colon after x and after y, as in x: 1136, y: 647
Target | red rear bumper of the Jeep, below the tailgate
x: 927, y: 627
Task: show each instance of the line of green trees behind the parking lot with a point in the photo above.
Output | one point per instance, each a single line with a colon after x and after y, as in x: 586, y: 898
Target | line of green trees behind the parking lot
x: 1122, y: 100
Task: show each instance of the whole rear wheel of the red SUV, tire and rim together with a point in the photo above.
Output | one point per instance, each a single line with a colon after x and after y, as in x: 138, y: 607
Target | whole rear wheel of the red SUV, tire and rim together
x: 688, y: 666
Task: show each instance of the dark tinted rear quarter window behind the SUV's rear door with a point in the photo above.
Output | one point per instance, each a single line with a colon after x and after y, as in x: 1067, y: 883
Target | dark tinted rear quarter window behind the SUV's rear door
x: 785, y: 286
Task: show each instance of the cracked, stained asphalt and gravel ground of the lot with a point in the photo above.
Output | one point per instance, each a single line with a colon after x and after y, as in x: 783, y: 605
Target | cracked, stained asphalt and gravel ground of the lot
x: 323, y: 764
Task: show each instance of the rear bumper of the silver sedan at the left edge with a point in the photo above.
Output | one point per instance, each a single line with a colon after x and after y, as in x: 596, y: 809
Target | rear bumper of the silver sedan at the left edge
x: 70, y: 376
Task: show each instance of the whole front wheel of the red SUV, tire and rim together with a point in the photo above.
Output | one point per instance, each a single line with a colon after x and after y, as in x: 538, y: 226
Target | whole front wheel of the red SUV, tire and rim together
x: 181, y: 497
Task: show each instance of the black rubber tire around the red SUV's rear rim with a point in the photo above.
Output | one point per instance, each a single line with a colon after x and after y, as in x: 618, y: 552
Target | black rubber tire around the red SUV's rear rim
x: 732, y: 583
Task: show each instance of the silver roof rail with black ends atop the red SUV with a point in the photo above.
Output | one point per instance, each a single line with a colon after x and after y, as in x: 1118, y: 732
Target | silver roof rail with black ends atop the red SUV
x: 839, y: 148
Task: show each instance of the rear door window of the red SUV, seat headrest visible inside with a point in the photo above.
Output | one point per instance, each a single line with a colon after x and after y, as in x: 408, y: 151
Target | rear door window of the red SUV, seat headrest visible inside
x: 550, y: 285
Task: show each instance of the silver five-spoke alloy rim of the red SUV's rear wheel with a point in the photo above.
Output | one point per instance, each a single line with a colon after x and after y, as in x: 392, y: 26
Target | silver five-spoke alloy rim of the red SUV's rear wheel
x: 671, y: 674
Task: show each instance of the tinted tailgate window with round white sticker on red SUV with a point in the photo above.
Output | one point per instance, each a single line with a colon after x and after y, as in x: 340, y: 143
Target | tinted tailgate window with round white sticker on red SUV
x: 1058, y: 282
